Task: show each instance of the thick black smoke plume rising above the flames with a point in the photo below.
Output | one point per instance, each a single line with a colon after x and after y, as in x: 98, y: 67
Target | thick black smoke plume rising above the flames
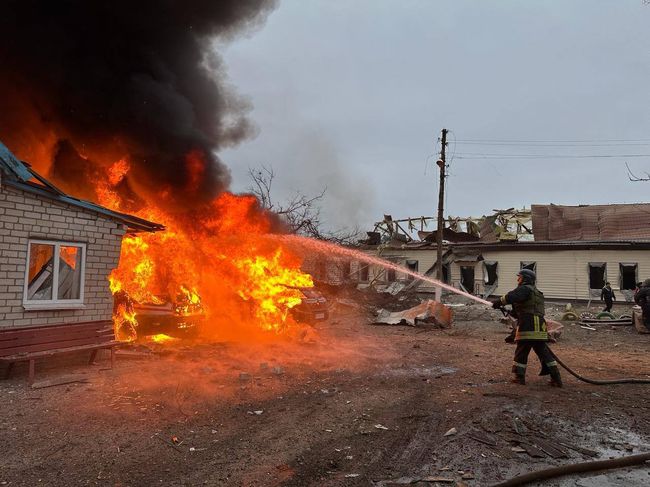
x: 84, y: 83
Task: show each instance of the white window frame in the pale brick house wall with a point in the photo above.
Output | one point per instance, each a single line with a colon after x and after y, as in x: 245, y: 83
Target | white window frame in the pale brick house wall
x: 55, y: 303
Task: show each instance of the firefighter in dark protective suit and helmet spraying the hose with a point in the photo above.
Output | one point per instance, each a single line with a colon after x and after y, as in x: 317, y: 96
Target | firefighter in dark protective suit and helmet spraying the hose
x: 528, y: 307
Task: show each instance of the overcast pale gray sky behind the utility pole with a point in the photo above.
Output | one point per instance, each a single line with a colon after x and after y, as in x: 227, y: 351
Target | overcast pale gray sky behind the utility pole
x: 351, y: 95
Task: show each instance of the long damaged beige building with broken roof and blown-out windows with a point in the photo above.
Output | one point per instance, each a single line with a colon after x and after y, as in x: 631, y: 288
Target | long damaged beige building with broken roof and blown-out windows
x: 573, y: 249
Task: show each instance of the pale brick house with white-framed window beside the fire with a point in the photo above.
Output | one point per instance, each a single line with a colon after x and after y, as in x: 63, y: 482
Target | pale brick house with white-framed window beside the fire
x: 56, y: 251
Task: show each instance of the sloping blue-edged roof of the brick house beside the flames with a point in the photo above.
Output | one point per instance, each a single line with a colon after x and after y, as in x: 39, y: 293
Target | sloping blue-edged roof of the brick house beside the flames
x: 20, y: 175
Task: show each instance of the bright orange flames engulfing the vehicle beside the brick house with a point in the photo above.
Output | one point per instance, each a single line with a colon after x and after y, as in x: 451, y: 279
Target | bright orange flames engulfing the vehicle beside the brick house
x: 215, y: 263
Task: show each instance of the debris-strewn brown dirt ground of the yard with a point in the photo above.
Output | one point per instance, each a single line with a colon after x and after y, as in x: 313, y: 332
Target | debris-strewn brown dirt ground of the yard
x: 349, y: 404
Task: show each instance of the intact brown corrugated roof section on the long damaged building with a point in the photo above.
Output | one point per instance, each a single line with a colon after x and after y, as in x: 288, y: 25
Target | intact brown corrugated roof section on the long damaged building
x: 592, y: 222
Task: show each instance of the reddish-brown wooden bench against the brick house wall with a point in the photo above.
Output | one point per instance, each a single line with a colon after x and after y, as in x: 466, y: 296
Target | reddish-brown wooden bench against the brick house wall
x: 35, y: 342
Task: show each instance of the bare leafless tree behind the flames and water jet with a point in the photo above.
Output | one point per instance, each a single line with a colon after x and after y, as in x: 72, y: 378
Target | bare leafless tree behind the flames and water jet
x: 300, y: 212
